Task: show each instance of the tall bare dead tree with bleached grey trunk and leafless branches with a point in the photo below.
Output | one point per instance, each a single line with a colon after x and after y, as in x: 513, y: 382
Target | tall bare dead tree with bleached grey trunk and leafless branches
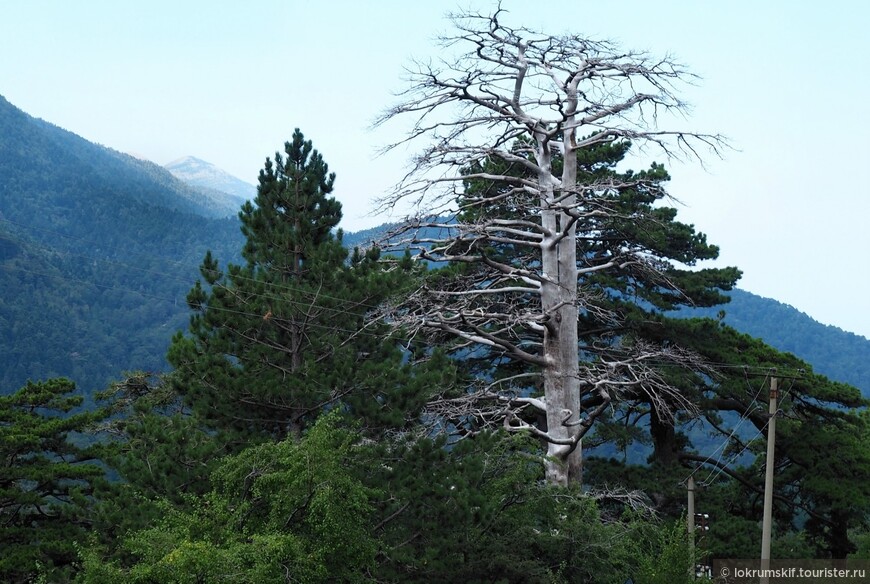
x: 519, y: 99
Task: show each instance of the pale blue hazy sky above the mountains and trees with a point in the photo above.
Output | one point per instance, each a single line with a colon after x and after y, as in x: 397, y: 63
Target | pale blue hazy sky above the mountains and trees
x: 227, y: 81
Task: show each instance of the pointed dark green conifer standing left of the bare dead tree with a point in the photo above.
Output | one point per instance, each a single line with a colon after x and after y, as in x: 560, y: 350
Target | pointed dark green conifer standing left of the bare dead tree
x: 279, y: 339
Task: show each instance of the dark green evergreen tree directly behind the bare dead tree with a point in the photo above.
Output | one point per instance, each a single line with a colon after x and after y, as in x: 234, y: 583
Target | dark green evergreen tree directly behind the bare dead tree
x: 618, y: 303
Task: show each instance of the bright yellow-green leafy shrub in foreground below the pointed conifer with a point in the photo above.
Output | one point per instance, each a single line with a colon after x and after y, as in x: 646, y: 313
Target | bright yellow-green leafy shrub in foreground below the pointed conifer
x: 279, y: 510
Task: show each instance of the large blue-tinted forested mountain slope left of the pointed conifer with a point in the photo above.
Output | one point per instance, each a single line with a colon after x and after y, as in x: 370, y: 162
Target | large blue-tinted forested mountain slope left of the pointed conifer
x: 97, y: 253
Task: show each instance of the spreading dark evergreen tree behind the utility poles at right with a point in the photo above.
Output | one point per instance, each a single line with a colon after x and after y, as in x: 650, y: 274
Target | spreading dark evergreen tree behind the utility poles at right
x: 726, y: 444
